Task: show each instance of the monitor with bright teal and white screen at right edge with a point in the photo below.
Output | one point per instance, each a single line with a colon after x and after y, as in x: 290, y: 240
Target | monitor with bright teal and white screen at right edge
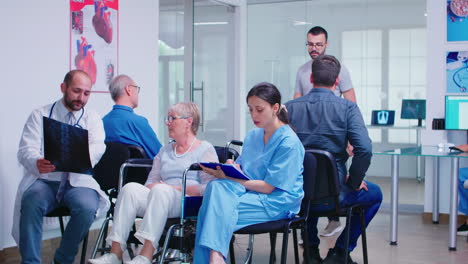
x: 456, y: 112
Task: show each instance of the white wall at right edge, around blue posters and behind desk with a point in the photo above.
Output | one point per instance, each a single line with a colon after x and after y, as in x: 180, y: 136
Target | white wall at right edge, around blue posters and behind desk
x: 436, y: 87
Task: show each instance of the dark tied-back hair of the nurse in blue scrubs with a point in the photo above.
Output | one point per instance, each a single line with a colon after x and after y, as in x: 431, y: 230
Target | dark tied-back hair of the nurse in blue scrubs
x: 270, y: 94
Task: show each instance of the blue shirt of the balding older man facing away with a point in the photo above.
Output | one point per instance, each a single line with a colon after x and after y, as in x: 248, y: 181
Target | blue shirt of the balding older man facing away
x: 124, y: 126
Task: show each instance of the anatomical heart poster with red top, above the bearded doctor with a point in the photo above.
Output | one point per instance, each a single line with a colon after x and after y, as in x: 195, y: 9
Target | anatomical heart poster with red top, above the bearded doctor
x: 94, y: 40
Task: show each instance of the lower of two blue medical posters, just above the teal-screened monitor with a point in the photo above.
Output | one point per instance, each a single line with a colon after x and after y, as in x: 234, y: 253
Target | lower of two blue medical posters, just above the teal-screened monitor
x: 457, y: 71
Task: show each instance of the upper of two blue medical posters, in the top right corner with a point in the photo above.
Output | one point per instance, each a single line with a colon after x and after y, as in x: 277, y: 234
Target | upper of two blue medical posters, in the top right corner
x: 457, y: 20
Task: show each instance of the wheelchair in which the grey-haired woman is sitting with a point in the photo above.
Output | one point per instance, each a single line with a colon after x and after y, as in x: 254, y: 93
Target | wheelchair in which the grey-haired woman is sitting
x: 178, y: 239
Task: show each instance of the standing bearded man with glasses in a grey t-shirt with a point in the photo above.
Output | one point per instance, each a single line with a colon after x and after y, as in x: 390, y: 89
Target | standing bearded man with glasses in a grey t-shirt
x: 317, y: 43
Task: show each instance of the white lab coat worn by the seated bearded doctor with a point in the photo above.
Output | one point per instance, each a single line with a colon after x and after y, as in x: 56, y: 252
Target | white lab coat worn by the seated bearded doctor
x: 31, y: 149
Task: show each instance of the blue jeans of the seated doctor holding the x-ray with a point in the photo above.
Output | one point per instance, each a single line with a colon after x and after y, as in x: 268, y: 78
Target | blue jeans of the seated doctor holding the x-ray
x: 38, y: 200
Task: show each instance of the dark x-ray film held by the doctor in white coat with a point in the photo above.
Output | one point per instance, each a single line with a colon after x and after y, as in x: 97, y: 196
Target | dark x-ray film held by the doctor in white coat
x: 66, y: 147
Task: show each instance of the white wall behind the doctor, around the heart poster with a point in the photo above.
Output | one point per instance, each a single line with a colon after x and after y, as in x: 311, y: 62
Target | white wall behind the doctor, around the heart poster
x: 35, y: 57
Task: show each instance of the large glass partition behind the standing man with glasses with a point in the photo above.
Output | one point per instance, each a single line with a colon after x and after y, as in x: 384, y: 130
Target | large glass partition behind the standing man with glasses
x: 384, y: 54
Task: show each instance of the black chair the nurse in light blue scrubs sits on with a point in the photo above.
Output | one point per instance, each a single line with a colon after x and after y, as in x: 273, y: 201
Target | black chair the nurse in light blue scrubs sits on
x: 284, y: 226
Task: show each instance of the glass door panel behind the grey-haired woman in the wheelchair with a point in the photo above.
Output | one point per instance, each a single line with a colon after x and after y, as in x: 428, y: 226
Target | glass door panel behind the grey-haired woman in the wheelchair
x: 197, y: 49
